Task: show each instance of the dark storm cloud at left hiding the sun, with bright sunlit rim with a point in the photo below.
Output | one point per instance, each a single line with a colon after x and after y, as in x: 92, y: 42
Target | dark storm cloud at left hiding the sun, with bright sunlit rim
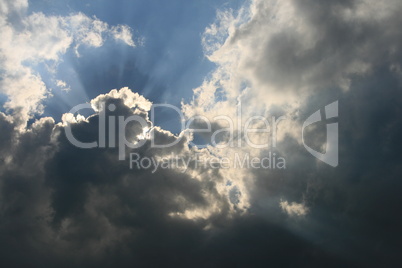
x: 68, y: 207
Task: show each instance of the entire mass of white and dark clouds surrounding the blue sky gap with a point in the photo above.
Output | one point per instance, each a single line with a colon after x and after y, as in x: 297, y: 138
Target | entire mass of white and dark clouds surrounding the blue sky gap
x: 66, y: 206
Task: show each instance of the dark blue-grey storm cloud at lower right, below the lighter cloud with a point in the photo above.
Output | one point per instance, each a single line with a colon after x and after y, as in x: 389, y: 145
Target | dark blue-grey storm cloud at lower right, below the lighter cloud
x: 353, y: 209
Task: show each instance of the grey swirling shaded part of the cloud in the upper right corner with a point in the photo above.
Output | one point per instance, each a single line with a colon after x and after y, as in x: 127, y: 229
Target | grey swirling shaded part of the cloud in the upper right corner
x: 317, y: 45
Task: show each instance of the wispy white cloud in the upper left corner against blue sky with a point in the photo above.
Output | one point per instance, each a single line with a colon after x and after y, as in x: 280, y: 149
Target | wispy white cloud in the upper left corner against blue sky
x: 30, y: 39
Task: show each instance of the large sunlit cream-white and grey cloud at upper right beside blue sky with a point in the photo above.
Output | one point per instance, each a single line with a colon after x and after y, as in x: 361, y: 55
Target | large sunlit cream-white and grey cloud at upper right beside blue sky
x: 276, y: 55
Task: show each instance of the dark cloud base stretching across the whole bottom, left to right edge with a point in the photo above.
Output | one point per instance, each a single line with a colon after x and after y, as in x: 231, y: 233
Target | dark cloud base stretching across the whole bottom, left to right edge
x: 62, y: 206
